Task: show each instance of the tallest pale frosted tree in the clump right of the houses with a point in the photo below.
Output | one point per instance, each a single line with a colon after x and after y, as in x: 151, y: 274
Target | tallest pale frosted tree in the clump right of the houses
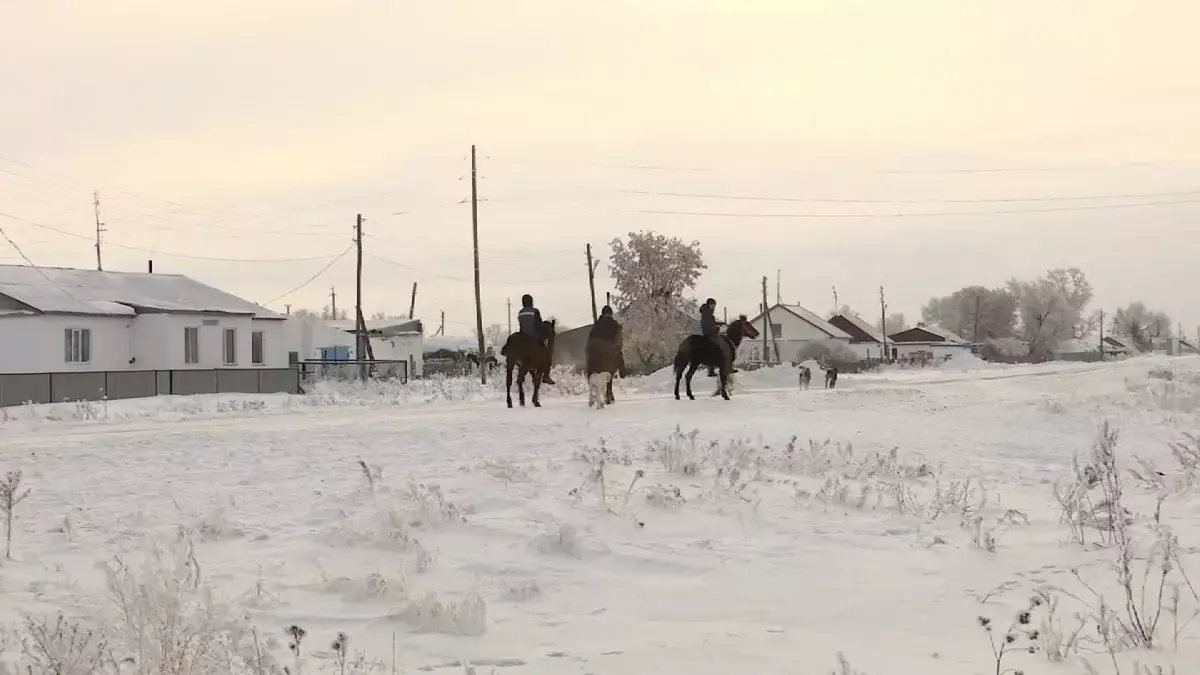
x: 1052, y: 309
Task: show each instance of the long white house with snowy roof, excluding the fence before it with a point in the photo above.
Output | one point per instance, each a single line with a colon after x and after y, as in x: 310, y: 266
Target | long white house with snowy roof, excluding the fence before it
x: 59, y: 320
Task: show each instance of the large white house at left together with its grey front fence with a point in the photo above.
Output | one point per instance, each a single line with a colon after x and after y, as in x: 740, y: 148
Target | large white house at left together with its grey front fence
x: 73, y: 334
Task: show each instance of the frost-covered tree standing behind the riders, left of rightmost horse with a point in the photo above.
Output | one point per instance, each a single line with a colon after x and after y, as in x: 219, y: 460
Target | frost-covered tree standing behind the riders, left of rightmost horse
x: 652, y: 273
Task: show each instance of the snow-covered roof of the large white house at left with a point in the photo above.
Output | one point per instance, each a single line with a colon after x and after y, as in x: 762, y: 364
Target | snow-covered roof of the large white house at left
x: 117, y: 294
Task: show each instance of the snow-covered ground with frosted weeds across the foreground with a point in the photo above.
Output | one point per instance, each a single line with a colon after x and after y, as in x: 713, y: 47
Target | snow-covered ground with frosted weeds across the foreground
x: 765, y: 535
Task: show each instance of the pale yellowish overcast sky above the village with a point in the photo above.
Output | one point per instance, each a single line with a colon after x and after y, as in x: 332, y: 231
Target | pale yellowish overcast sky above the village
x: 259, y: 130
